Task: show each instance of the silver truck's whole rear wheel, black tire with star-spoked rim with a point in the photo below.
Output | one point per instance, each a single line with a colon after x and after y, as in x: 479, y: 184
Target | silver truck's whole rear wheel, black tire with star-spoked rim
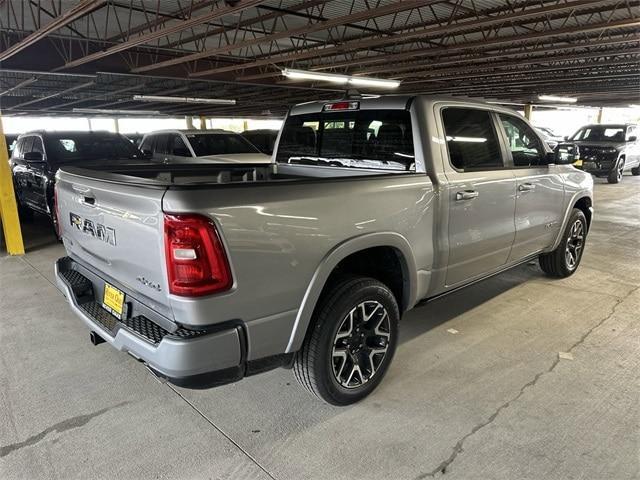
x: 335, y: 363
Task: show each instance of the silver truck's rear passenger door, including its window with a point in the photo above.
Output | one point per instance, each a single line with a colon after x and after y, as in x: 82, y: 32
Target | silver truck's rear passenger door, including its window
x: 481, y: 195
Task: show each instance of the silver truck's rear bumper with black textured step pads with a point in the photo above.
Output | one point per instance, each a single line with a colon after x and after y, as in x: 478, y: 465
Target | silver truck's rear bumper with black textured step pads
x: 194, y: 359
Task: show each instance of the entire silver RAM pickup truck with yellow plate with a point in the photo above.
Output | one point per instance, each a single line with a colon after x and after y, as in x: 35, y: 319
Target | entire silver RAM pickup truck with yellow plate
x: 210, y: 273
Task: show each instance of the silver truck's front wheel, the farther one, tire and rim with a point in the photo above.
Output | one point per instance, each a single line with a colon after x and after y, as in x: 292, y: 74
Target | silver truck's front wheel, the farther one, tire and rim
x: 564, y: 260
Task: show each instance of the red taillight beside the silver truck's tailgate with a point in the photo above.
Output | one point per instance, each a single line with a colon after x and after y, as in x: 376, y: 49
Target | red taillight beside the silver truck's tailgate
x: 196, y: 261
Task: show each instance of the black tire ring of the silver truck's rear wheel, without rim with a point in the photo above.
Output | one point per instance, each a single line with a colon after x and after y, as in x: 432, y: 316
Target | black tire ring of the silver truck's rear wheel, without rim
x: 330, y: 318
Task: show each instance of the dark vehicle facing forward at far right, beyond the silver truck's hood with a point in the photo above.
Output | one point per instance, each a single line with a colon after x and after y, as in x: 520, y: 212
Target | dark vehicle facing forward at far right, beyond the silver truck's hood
x: 608, y: 150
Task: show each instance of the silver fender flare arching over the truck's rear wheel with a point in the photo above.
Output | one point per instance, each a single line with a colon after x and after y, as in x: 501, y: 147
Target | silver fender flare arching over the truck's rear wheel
x: 333, y: 258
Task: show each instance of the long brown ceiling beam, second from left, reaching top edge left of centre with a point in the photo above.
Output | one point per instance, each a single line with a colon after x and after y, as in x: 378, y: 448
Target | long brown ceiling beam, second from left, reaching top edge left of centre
x: 162, y: 32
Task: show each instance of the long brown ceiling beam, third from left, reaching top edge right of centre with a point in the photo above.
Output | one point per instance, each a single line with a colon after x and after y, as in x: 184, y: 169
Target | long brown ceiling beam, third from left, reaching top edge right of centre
x: 304, y: 30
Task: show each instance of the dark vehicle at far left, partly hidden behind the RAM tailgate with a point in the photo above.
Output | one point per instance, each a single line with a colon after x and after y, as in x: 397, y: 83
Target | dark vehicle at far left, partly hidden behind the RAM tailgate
x: 37, y: 156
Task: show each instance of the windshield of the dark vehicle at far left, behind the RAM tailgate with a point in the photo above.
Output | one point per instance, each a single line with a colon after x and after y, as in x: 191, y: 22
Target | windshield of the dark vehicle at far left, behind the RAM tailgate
x: 68, y: 147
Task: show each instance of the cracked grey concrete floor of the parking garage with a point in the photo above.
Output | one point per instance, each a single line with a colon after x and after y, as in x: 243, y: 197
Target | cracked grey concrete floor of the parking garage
x: 492, y: 401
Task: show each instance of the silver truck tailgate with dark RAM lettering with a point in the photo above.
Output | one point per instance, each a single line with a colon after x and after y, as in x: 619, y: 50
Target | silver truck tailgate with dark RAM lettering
x: 117, y: 231
